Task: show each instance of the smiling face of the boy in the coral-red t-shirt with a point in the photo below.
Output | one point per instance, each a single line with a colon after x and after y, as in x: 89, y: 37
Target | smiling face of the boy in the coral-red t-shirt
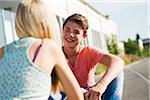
x: 73, y: 34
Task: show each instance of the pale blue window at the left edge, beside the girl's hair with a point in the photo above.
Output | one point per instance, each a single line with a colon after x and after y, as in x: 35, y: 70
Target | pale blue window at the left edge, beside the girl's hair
x: 7, y: 30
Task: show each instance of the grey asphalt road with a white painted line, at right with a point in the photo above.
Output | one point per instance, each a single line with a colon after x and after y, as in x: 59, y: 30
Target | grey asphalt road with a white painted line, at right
x: 137, y: 81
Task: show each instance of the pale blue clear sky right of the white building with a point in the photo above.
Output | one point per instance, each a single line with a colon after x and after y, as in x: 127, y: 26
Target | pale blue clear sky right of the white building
x: 131, y: 16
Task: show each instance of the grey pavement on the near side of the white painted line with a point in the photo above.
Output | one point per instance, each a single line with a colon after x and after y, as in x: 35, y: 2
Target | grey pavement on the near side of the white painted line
x: 135, y: 88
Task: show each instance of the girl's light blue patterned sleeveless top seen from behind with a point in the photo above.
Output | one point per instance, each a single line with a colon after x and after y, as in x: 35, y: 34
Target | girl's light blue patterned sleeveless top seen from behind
x: 19, y: 76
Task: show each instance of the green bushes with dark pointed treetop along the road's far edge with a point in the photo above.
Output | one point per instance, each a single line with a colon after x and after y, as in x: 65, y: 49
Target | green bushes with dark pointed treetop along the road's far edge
x: 133, y: 51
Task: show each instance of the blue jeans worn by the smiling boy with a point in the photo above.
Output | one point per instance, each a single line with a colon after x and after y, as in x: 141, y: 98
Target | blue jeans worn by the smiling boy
x: 114, y: 90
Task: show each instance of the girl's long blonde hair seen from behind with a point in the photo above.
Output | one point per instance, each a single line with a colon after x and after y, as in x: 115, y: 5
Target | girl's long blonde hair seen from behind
x: 33, y: 18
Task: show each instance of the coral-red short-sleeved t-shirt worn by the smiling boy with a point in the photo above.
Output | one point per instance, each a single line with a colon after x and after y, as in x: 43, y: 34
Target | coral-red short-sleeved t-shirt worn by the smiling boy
x: 84, y: 68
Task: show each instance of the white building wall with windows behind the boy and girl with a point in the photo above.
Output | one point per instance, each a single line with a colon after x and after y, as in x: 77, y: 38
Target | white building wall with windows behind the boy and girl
x: 98, y: 24
